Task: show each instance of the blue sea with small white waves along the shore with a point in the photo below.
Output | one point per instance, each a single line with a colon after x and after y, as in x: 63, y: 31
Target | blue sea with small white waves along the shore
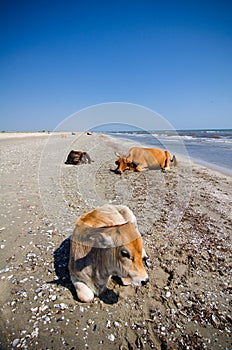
x: 211, y: 148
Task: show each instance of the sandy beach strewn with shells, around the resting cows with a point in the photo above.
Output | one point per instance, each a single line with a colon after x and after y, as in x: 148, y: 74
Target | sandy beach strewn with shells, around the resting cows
x: 184, y: 216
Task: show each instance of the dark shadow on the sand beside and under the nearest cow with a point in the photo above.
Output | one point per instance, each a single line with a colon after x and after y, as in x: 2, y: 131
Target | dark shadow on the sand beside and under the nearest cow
x: 61, y: 260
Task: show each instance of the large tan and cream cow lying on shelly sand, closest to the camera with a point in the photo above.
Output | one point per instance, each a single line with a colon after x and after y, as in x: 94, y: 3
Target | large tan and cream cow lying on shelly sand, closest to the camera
x: 105, y: 242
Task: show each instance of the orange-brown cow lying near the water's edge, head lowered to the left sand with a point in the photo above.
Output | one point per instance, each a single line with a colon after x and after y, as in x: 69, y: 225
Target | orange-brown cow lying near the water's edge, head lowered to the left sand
x: 139, y: 158
